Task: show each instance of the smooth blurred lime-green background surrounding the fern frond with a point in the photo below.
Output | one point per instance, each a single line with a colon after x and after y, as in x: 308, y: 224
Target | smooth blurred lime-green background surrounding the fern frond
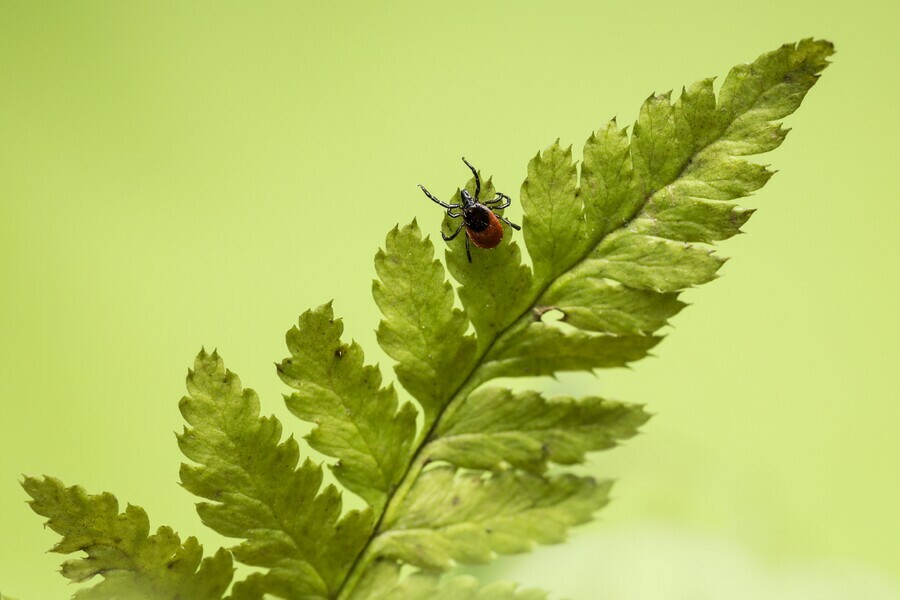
x: 178, y: 174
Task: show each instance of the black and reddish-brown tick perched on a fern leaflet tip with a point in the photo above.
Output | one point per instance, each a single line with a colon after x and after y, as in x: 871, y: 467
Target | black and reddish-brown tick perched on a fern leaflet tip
x: 481, y: 222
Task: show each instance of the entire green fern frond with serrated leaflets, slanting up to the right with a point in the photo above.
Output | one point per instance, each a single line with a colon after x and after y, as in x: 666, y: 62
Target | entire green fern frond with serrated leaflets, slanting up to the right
x: 612, y: 246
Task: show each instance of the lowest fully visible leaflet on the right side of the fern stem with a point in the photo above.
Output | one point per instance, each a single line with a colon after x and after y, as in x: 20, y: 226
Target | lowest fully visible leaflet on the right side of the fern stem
x: 470, y: 519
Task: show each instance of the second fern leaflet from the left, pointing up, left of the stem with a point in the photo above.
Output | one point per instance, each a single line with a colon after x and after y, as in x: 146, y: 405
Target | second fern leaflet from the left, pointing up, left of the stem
x: 257, y: 491
